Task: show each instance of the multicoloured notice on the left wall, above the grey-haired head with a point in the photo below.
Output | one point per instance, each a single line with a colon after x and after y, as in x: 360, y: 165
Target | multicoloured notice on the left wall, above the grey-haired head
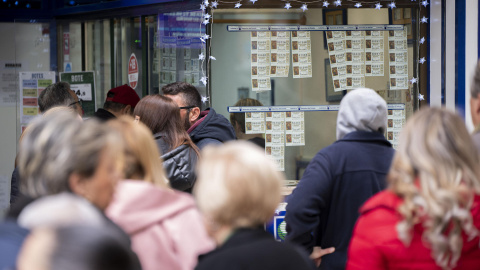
x: 31, y: 85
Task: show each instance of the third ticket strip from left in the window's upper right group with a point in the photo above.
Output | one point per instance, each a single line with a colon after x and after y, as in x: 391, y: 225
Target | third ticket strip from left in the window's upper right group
x: 374, y: 53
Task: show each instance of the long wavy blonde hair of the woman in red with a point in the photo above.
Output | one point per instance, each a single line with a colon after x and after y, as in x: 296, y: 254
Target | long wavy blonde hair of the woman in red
x: 436, y: 171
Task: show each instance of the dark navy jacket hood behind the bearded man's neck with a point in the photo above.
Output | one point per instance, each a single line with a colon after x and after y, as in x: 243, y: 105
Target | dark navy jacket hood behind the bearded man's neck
x: 211, y: 126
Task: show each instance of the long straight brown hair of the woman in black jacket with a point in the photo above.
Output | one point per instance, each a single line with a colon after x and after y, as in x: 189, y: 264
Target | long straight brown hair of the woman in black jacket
x: 162, y: 114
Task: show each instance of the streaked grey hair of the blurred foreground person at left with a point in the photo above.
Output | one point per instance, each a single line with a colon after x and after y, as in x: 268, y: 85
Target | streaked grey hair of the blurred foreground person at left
x: 57, y: 145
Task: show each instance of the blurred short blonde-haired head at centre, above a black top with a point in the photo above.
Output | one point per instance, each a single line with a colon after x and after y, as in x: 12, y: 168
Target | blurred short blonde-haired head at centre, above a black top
x: 237, y: 185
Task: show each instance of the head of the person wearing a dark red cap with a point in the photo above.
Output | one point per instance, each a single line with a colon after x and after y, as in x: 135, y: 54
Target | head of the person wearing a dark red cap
x: 120, y: 100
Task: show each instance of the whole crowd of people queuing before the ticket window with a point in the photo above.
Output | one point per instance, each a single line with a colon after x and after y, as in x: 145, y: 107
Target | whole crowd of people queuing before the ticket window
x: 157, y: 183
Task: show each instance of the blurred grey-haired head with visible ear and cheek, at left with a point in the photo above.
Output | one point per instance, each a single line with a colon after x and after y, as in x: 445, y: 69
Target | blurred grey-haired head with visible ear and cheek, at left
x: 59, y: 153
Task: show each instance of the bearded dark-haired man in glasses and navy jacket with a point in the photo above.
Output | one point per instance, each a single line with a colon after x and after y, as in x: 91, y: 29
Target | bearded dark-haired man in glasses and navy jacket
x: 204, y: 127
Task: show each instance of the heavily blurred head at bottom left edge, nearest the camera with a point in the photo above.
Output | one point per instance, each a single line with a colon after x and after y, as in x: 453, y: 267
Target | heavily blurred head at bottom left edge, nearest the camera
x: 75, y: 248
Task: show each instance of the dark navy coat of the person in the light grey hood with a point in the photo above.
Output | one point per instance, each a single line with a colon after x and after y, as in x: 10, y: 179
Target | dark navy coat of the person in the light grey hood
x: 323, y: 208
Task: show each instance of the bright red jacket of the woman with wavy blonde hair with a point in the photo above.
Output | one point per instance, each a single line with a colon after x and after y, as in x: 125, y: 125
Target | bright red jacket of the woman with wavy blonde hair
x: 375, y: 243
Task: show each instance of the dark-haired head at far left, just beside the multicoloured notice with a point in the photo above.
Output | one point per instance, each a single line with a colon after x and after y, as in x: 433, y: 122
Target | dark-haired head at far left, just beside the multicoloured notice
x: 59, y: 94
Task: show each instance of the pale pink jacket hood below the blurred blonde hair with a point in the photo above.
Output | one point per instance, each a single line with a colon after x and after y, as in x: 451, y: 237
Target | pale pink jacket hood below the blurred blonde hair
x: 138, y: 205
